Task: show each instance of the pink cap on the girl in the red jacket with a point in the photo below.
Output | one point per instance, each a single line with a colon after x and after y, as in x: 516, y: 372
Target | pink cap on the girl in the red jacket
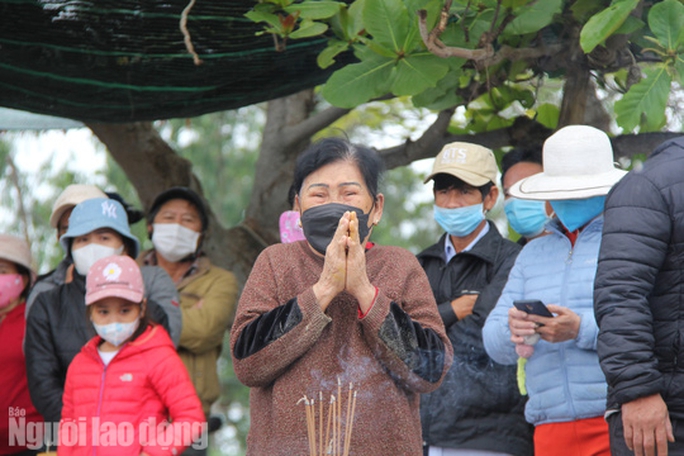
x: 116, y: 276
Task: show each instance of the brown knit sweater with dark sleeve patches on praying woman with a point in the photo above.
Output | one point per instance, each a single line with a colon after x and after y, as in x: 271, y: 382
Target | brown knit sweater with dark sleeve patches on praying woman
x: 309, y: 358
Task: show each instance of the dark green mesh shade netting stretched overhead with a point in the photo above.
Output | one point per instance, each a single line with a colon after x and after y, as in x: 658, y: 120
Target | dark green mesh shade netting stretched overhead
x: 121, y: 60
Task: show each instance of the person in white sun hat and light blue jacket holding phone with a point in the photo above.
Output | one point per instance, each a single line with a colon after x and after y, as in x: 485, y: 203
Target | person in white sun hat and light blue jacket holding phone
x: 564, y: 382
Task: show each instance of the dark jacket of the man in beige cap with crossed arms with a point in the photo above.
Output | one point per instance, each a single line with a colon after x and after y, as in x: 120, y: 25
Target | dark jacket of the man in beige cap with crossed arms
x: 478, y: 405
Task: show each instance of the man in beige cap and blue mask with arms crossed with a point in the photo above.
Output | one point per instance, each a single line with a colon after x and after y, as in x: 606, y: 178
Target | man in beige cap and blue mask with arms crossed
x: 477, y: 409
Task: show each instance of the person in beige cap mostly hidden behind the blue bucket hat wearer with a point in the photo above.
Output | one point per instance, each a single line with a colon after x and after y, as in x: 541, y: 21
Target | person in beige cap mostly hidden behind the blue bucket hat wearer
x: 59, y: 219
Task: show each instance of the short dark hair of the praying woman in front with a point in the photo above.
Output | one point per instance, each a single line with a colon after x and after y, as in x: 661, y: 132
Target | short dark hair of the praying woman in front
x: 332, y: 150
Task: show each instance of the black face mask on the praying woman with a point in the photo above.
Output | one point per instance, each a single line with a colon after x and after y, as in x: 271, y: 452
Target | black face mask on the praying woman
x: 319, y: 224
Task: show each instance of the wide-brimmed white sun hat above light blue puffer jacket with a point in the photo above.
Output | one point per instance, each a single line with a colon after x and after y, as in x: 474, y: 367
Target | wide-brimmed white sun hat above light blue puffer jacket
x: 578, y: 164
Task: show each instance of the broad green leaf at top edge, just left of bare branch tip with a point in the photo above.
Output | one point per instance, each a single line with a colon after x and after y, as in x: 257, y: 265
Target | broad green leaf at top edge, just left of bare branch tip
x: 388, y: 23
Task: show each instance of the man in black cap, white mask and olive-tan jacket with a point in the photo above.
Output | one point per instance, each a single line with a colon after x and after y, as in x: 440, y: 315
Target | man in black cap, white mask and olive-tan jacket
x: 177, y: 223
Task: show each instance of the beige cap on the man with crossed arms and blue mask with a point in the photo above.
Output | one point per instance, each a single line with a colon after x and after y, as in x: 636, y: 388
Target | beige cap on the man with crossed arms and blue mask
x: 473, y: 164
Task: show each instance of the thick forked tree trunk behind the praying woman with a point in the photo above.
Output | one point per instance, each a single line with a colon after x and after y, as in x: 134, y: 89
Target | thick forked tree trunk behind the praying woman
x: 152, y: 166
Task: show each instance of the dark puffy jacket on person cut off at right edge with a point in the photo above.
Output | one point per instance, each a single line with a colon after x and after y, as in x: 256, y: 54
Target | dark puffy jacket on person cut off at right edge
x: 639, y: 285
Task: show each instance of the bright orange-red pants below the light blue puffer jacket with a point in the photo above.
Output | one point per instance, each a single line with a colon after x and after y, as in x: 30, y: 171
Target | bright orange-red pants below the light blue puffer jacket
x: 588, y: 437
